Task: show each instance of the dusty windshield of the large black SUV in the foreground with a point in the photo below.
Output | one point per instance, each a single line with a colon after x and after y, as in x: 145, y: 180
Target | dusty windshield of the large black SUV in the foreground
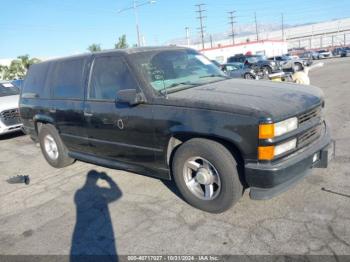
x: 174, y: 70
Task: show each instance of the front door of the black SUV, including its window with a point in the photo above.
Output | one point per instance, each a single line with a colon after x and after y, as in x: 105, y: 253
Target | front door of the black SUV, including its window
x: 117, y: 131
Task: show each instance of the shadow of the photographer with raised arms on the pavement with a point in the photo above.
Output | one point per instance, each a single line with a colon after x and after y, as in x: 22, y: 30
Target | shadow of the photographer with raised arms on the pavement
x: 93, y: 236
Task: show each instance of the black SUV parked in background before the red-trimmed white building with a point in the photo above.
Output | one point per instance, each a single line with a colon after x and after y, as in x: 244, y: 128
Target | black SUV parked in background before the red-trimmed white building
x: 260, y: 61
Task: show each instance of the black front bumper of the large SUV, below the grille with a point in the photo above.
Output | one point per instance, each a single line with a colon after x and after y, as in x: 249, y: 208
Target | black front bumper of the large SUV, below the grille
x: 267, y: 180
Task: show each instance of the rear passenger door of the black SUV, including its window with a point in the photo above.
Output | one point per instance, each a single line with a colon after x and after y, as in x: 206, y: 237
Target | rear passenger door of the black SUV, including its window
x: 67, y: 79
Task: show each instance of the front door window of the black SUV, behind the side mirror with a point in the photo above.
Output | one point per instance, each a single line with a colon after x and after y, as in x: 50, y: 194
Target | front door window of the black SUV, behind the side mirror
x: 110, y: 74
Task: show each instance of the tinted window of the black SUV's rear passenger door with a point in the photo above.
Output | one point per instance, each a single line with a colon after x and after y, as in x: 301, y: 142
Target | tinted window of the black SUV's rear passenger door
x: 66, y: 79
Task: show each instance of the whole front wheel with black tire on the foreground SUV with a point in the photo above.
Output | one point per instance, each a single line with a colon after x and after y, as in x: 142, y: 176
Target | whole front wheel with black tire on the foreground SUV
x: 227, y: 189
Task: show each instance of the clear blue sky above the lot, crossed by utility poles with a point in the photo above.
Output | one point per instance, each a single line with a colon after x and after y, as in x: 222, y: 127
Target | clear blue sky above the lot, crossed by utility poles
x: 46, y: 28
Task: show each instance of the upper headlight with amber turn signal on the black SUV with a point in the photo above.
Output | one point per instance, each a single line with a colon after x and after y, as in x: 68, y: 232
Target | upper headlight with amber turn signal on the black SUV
x: 267, y: 131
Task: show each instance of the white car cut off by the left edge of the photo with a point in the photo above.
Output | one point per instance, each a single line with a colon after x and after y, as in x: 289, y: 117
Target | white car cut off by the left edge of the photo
x: 9, y: 112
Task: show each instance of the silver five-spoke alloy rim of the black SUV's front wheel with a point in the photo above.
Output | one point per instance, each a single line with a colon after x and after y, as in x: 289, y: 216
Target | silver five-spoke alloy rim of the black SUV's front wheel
x: 202, y: 178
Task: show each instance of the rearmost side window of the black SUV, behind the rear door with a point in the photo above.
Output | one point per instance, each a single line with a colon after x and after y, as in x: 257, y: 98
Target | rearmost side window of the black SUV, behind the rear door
x: 34, y: 84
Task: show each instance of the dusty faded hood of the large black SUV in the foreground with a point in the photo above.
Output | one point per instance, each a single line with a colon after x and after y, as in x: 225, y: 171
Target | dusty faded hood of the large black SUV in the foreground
x: 265, y: 99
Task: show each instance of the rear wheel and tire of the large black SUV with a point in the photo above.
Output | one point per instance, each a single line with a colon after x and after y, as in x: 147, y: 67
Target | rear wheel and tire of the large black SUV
x: 52, y: 147
